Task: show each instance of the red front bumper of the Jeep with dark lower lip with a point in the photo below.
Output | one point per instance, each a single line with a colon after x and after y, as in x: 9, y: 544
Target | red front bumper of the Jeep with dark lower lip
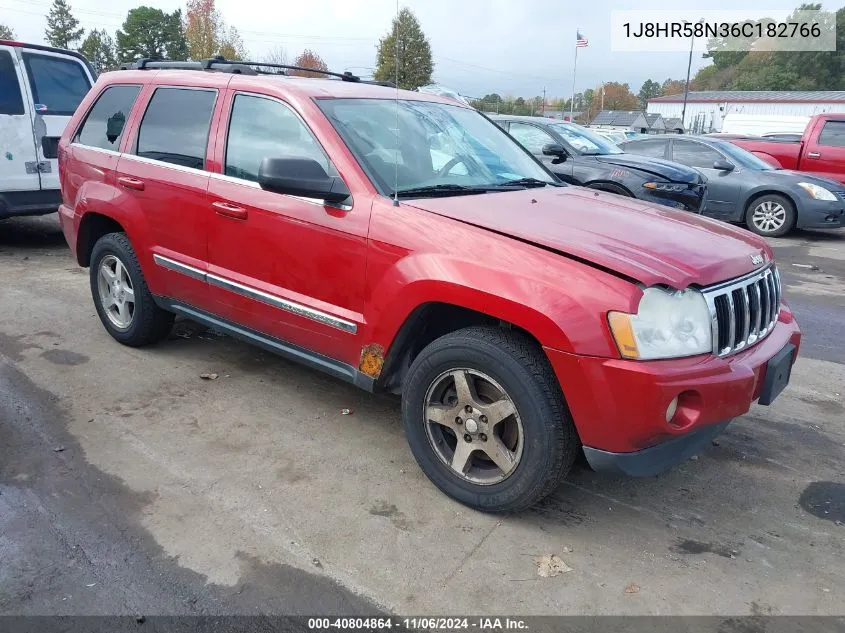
x: 619, y: 406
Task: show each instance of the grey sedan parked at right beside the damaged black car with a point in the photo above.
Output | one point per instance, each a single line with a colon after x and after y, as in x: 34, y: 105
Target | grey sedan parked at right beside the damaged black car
x: 744, y: 188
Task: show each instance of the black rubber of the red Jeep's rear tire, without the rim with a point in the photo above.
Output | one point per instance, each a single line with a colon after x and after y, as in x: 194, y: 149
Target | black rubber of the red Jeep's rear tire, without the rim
x: 111, y: 245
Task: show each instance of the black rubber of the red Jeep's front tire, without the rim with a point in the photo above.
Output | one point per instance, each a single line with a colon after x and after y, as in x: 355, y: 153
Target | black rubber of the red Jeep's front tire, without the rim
x: 541, y: 439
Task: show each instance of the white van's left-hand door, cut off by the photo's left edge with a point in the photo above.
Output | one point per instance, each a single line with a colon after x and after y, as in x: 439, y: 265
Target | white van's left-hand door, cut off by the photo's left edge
x: 18, y: 159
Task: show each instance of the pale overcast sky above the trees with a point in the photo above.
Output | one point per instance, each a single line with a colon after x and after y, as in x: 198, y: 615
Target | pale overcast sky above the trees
x: 513, y: 47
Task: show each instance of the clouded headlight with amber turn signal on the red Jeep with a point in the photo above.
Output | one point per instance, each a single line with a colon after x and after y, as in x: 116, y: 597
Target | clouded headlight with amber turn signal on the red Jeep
x: 668, y: 324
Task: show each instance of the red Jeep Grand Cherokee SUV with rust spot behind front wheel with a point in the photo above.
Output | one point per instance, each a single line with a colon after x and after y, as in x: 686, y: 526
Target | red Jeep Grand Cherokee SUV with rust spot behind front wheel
x: 405, y: 243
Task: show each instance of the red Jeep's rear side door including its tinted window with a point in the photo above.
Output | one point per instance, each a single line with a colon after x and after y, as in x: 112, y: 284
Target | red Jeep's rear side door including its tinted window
x: 162, y: 177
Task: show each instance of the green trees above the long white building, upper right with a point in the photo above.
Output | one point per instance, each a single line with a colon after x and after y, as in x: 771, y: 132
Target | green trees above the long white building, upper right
x: 782, y: 69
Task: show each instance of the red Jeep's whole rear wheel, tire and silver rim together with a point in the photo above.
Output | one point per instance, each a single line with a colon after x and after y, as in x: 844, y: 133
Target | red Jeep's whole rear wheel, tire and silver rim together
x: 121, y: 296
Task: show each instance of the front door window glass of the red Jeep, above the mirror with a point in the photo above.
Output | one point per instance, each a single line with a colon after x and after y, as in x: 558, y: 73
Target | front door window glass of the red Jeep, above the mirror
x: 262, y: 128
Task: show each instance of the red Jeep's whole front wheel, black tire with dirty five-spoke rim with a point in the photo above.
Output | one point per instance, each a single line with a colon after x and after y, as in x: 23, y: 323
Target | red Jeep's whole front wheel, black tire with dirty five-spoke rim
x: 486, y: 420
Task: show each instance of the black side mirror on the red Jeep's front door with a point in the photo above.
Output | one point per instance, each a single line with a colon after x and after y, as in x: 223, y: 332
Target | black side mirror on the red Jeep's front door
x: 301, y: 177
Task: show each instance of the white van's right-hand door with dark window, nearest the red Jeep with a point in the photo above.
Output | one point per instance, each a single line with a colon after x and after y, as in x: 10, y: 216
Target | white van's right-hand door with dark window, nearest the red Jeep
x: 56, y: 84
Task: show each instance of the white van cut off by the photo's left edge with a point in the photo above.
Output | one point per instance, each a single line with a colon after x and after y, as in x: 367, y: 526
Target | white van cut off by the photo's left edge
x: 40, y: 87
